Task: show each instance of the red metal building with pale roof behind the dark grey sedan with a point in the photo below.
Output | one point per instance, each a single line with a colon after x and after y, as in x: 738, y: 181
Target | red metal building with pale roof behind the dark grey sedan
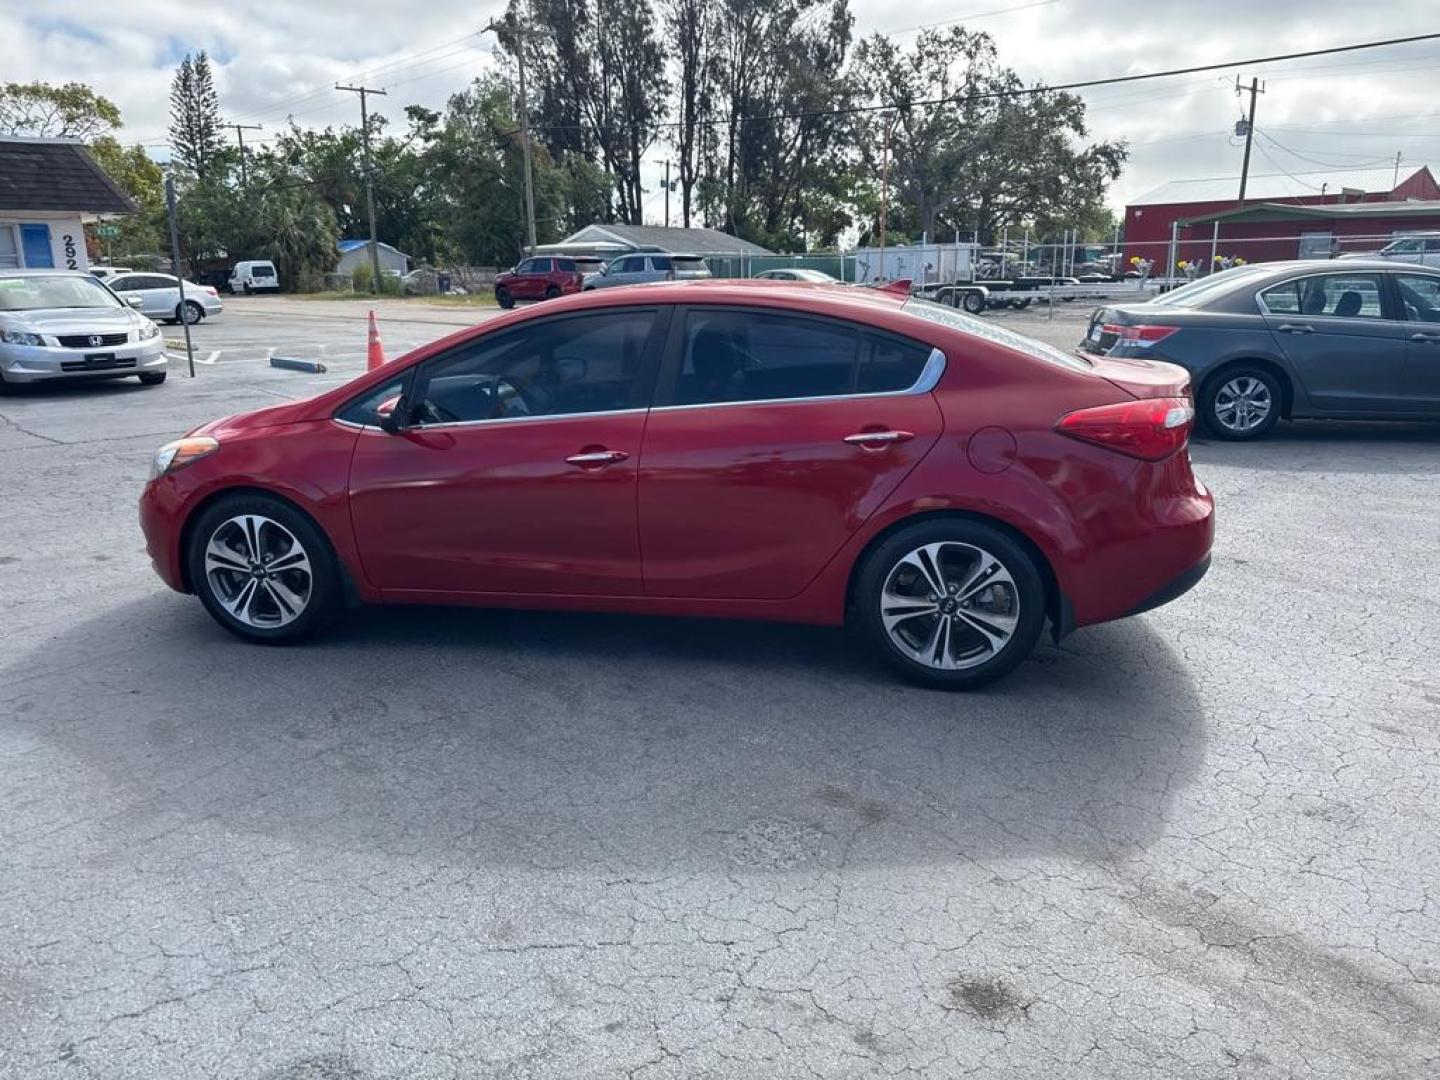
x: 1285, y: 217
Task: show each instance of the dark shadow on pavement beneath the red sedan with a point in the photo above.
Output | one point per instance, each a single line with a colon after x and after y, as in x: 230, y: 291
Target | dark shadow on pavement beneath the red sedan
x: 608, y: 744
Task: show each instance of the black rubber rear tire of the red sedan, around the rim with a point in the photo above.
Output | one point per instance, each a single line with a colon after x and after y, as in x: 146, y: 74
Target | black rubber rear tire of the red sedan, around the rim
x: 968, y: 541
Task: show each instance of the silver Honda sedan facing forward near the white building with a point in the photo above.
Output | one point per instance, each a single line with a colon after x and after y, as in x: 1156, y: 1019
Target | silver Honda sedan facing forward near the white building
x: 66, y: 325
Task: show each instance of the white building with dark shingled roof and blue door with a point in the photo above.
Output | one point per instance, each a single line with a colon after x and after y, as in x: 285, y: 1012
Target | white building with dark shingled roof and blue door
x: 50, y: 189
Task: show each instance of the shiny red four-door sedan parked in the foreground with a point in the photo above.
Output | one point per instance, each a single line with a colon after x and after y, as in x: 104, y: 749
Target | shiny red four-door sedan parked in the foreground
x: 729, y: 450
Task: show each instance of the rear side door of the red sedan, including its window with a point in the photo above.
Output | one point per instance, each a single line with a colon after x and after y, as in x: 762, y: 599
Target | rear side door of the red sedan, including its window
x: 775, y: 437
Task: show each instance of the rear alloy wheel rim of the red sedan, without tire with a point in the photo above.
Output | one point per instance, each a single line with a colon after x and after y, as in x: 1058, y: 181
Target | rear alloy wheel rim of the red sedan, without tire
x: 950, y: 606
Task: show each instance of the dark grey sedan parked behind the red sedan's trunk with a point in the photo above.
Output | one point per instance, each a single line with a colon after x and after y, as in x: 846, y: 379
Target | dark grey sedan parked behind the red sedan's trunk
x: 1308, y: 339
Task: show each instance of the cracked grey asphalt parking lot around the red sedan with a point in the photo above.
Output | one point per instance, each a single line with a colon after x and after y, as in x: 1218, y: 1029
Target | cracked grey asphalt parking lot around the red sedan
x: 499, y: 845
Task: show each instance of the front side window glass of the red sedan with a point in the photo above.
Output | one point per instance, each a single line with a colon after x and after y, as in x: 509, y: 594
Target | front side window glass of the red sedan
x: 554, y: 368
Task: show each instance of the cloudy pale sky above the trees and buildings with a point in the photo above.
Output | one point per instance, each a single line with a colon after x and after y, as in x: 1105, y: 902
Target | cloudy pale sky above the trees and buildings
x: 277, y: 58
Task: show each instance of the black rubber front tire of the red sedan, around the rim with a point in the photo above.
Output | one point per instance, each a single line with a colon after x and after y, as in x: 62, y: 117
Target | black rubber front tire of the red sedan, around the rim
x: 326, y: 598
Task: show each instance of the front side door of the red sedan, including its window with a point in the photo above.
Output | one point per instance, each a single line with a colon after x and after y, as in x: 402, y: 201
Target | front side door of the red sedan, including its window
x: 516, y: 473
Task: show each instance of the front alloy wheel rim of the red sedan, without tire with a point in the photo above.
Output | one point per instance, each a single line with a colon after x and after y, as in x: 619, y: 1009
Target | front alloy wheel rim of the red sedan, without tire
x: 258, y: 571
